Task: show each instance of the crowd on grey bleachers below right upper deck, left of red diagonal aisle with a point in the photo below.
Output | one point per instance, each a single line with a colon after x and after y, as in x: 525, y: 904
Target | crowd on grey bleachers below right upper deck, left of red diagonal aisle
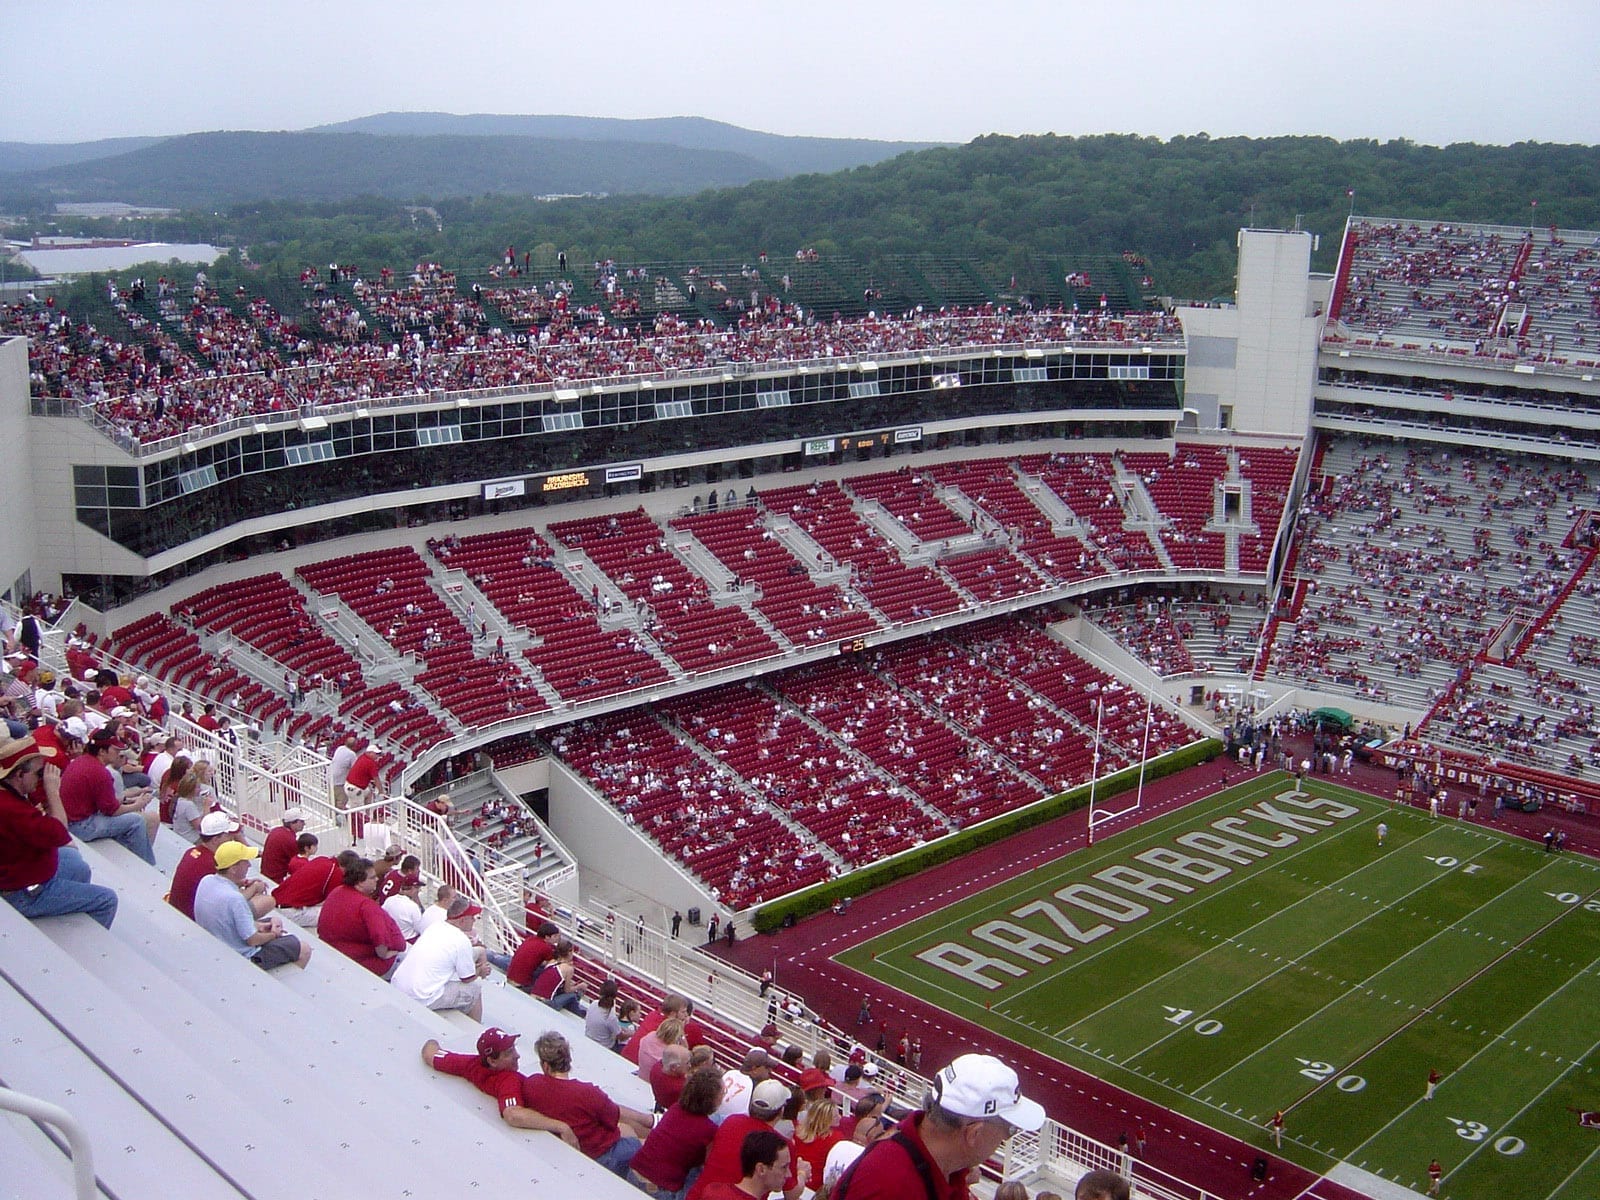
x: 1418, y: 554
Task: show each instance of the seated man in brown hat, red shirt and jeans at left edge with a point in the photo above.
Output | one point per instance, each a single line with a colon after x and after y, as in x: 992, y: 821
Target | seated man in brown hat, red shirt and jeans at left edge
x: 41, y: 873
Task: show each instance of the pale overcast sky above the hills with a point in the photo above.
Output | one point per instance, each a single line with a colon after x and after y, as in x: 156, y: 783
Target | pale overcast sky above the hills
x: 929, y: 71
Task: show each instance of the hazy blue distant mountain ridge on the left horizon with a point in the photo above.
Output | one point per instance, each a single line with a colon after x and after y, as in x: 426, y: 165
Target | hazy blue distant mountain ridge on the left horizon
x: 410, y: 156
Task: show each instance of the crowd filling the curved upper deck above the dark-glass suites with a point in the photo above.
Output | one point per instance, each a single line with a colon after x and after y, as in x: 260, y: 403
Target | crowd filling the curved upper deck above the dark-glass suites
x: 382, y: 338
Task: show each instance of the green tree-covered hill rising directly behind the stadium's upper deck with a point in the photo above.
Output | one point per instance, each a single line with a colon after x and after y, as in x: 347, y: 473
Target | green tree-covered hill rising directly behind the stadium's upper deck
x: 1015, y: 204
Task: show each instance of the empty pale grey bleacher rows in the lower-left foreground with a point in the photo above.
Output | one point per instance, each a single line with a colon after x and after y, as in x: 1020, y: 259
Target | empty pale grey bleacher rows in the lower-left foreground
x: 230, y: 1073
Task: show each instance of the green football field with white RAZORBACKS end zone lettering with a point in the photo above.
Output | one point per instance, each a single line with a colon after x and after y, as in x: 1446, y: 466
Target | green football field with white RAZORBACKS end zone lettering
x: 1281, y: 959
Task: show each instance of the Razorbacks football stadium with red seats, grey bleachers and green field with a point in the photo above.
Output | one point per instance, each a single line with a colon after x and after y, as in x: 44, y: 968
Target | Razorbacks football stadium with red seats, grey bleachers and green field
x: 836, y: 614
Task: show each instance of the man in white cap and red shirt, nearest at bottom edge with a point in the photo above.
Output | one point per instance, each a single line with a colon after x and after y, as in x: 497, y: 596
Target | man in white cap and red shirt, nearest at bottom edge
x: 974, y: 1108
